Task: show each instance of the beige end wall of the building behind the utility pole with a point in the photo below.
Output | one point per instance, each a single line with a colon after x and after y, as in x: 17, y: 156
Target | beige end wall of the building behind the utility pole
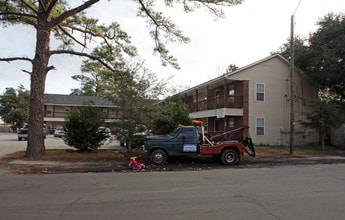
x: 275, y: 109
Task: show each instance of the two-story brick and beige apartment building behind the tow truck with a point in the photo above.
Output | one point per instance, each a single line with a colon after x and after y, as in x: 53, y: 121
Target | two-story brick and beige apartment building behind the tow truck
x: 257, y: 95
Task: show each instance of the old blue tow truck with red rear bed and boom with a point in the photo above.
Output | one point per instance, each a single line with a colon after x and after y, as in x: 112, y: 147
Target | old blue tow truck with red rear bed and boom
x: 188, y: 140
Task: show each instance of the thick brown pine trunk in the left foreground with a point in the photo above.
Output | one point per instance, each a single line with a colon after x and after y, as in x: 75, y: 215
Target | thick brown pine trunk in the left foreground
x: 35, y: 145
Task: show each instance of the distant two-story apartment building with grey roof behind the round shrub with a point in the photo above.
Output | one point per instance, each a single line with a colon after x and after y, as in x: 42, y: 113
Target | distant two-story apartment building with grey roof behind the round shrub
x: 57, y: 106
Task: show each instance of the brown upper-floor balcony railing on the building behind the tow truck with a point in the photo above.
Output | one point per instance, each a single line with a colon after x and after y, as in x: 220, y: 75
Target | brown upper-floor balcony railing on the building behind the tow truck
x: 215, y: 103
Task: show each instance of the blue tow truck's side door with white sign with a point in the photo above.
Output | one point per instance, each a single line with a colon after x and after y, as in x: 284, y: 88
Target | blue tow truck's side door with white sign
x: 187, y: 142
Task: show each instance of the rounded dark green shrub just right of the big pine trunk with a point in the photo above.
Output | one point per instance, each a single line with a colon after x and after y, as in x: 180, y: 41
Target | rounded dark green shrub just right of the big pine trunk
x: 82, y: 128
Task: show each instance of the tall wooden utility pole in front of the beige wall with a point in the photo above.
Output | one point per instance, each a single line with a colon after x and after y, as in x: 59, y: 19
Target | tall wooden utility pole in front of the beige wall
x: 292, y: 114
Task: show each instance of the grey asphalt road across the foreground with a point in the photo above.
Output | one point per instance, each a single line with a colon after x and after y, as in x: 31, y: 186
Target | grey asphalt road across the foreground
x: 294, y: 192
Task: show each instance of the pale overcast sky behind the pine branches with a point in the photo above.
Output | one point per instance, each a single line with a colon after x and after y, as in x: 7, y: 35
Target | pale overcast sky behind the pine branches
x: 250, y: 32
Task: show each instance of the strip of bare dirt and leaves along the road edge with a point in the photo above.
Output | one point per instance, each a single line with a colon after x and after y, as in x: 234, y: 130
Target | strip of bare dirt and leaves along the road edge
x: 70, y: 161
